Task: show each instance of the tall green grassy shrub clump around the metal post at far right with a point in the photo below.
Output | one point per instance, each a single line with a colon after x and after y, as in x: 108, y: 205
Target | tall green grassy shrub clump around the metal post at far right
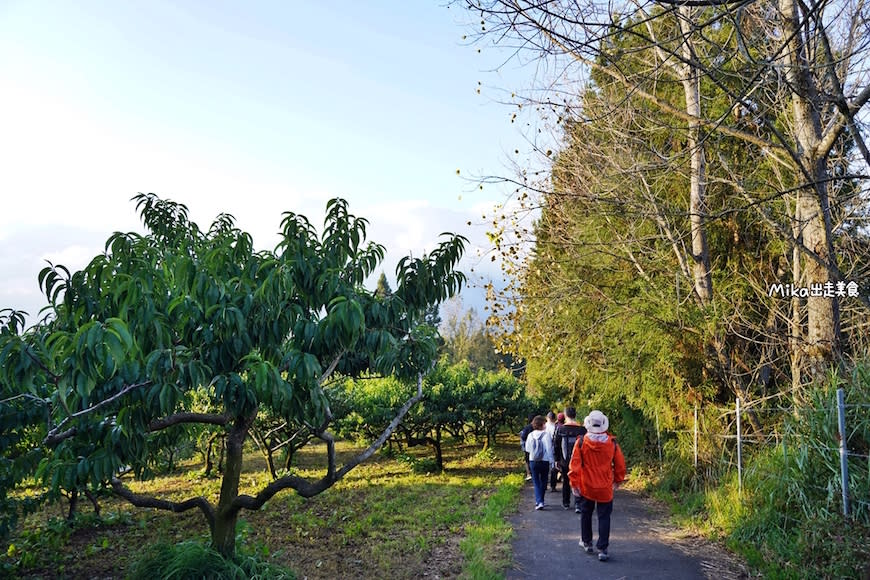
x: 789, y: 520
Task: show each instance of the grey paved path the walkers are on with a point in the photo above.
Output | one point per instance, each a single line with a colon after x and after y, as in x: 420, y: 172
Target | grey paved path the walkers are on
x: 642, y: 544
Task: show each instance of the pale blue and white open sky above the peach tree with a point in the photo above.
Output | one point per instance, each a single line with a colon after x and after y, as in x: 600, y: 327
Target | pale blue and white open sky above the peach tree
x: 247, y: 108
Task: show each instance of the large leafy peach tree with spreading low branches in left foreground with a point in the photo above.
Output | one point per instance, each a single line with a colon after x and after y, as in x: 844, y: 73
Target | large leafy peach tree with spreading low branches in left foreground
x: 134, y: 342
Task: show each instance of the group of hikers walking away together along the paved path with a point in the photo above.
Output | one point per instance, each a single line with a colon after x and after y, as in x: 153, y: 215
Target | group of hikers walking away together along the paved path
x: 588, y: 460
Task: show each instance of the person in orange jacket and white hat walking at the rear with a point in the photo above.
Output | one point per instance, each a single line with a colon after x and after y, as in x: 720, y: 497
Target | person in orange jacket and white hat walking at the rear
x: 597, y: 468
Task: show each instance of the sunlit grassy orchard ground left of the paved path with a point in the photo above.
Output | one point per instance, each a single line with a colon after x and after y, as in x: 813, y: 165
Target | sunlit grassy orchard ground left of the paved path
x: 385, y: 519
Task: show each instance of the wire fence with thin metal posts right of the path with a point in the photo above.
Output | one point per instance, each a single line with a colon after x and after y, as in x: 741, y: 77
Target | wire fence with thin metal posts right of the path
x: 822, y: 448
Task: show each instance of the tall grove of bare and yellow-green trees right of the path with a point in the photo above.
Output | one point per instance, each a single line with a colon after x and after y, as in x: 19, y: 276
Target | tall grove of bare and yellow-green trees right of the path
x: 712, y: 158
